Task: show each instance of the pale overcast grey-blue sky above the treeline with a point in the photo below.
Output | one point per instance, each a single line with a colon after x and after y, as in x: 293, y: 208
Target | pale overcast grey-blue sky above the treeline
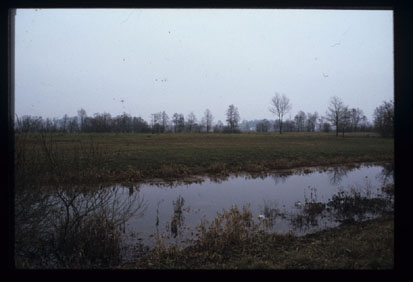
x: 142, y: 61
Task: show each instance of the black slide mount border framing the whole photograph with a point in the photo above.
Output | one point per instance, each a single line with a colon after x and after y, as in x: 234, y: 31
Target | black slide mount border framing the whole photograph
x: 403, y: 49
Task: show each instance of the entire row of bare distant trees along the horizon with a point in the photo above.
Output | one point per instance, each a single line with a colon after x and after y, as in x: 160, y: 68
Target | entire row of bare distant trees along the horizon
x: 339, y: 118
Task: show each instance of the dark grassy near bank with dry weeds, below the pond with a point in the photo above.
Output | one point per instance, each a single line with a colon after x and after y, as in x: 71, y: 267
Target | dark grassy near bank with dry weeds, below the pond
x: 358, y: 245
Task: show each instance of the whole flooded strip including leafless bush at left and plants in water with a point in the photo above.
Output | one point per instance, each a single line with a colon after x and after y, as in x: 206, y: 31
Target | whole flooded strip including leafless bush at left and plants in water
x: 128, y: 221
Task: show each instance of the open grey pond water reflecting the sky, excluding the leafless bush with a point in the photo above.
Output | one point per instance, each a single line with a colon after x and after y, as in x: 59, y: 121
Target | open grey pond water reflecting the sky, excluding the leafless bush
x: 176, y: 209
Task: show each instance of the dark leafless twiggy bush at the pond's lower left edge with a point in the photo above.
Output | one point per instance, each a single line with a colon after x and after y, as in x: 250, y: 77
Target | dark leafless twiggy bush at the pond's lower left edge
x: 72, y: 227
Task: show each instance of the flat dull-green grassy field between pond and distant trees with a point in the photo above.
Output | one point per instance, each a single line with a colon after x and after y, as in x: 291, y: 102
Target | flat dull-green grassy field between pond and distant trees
x: 137, y: 157
